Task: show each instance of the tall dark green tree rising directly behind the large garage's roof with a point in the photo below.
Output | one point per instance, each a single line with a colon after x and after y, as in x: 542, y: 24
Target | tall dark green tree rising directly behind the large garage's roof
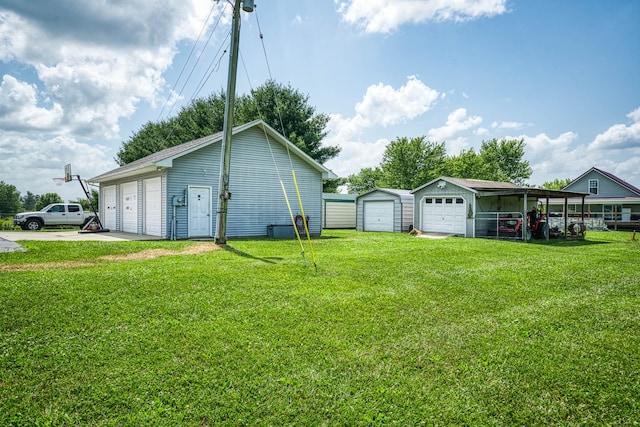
x: 282, y: 107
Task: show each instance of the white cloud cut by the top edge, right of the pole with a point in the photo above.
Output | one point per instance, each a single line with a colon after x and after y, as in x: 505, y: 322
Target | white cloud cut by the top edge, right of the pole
x: 384, y: 16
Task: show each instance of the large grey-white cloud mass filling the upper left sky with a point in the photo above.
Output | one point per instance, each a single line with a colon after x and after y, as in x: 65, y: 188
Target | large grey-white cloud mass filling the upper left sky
x: 94, y: 62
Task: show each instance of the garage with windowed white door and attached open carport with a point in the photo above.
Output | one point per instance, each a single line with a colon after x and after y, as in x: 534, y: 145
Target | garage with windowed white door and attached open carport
x: 479, y: 208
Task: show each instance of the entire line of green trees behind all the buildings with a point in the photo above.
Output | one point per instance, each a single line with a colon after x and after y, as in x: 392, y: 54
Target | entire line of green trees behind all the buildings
x: 407, y: 163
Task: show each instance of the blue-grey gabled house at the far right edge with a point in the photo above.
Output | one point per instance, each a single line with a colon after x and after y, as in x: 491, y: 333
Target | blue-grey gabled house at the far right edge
x: 610, y: 199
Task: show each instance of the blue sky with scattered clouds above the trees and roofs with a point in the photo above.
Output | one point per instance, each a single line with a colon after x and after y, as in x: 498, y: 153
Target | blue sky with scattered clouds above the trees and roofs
x: 78, y: 78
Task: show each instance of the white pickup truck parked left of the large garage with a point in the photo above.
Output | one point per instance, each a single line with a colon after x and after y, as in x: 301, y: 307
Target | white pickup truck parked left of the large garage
x: 54, y: 214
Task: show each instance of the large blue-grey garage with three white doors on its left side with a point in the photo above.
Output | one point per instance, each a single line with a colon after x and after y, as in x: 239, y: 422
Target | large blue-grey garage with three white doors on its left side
x: 172, y: 194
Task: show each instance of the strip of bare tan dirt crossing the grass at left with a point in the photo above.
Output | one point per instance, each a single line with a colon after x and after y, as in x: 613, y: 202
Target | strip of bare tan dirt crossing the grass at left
x: 135, y: 256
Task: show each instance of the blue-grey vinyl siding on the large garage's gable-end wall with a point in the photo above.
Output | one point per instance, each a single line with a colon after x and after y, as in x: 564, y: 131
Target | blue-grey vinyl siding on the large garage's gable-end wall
x: 257, y: 199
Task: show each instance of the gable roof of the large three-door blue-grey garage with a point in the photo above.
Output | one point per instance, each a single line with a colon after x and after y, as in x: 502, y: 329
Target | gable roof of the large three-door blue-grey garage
x: 164, y: 158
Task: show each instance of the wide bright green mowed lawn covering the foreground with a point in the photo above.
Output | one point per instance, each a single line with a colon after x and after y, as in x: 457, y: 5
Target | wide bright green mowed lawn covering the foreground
x: 389, y: 329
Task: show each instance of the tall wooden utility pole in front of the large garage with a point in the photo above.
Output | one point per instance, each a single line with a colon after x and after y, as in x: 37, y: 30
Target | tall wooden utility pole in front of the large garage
x: 225, y: 156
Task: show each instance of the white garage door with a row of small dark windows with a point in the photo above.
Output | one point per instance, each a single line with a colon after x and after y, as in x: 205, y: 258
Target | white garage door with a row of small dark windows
x: 444, y: 215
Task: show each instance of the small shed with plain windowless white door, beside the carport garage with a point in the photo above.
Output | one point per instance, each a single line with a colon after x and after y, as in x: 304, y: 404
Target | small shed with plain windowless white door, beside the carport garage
x: 384, y: 209
